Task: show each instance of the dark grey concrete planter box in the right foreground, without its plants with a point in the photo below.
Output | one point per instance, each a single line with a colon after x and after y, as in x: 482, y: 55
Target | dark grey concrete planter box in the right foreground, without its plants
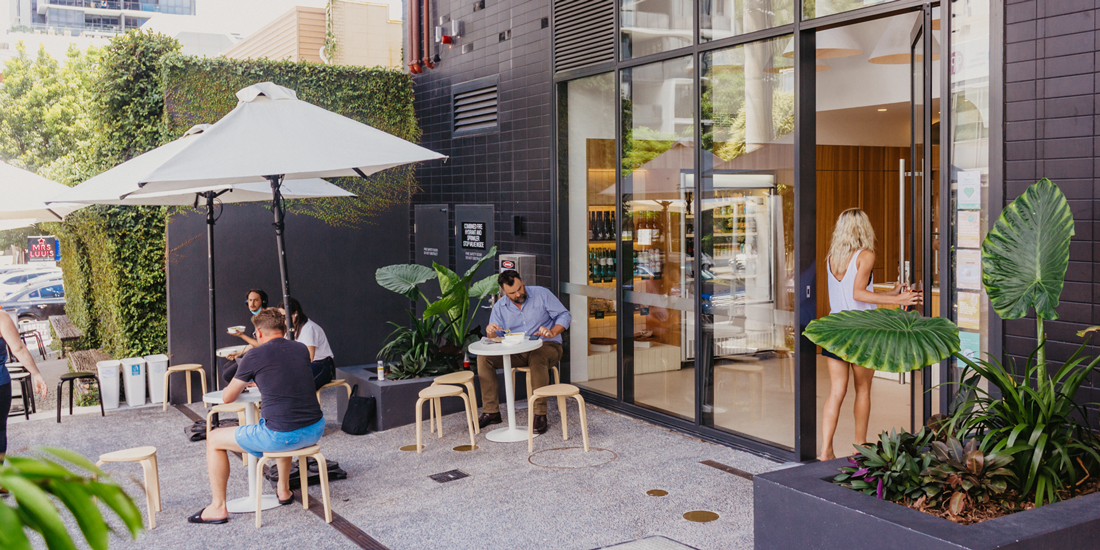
x: 800, y: 508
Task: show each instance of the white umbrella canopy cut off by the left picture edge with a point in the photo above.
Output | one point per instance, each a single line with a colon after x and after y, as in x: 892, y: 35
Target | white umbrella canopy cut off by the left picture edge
x: 25, y: 199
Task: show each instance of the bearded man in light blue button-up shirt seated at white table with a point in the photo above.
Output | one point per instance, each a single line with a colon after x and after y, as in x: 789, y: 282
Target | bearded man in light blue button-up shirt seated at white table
x: 531, y: 311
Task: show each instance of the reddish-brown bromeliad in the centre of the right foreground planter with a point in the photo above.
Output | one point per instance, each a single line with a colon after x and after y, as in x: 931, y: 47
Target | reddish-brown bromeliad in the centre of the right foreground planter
x: 964, y: 475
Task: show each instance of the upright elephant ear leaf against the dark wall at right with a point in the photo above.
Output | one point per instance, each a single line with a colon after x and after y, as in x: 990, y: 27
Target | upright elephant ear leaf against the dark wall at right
x: 1027, y: 252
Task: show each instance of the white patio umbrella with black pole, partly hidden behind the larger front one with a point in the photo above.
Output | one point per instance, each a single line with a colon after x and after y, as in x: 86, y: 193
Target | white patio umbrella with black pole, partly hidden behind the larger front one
x: 120, y: 186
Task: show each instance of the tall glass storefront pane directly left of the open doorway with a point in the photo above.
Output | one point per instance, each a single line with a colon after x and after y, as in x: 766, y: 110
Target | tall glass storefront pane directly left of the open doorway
x: 747, y: 236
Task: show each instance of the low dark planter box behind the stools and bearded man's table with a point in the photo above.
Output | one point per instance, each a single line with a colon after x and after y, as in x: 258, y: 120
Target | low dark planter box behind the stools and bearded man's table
x: 397, y: 400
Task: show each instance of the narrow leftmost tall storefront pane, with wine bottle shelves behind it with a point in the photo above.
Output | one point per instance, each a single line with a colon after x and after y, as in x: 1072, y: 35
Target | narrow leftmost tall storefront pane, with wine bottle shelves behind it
x: 587, y: 149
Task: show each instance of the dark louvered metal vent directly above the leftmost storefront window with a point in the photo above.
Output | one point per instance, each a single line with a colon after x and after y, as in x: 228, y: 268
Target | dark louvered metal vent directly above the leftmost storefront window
x: 584, y: 34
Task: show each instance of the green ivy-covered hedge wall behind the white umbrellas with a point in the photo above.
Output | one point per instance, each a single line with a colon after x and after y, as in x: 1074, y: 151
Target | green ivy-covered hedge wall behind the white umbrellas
x: 148, y: 95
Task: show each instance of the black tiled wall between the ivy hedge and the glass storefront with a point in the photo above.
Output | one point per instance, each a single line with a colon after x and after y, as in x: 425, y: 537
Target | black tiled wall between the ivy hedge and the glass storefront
x: 509, y: 169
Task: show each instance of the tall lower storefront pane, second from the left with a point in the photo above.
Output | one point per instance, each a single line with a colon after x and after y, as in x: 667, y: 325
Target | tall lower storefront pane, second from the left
x: 658, y: 163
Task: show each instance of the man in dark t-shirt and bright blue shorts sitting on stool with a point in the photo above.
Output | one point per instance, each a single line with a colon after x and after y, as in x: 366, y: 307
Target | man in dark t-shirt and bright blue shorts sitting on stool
x: 292, y: 419
